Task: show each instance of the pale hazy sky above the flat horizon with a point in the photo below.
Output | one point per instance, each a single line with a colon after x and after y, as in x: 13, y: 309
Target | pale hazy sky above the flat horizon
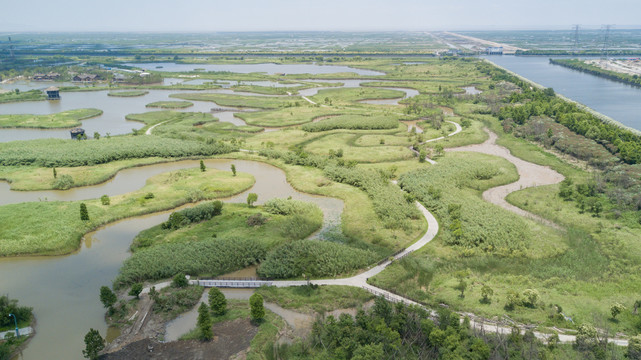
x: 353, y: 15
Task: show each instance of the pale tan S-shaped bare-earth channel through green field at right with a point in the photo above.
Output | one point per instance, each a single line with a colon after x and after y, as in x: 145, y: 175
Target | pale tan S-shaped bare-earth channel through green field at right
x: 530, y: 175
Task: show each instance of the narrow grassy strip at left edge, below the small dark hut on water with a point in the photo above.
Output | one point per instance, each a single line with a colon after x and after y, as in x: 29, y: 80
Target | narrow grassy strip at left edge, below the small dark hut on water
x: 65, y: 119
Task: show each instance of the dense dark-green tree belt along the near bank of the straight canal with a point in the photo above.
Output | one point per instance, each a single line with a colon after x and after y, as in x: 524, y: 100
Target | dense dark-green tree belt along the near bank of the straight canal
x: 623, y: 143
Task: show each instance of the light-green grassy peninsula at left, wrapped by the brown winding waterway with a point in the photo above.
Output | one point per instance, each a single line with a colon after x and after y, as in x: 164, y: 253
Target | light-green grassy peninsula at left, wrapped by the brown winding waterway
x: 30, y: 228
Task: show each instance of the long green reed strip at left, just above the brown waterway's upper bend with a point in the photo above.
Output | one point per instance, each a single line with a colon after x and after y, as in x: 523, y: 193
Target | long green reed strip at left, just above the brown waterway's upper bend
x: 61, y: 153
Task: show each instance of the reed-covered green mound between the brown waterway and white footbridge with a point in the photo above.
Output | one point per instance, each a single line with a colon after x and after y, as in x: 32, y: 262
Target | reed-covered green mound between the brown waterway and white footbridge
x: 236, y: 238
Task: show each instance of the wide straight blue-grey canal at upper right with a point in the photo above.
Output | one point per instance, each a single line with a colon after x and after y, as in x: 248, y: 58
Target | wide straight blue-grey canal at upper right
x: 617, y: 100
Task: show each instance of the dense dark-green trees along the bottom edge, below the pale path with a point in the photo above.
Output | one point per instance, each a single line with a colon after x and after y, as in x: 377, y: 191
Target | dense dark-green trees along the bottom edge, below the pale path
x: 395, y: 331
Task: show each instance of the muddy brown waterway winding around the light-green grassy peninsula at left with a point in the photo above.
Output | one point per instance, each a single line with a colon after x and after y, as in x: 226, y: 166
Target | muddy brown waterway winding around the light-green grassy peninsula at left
x: 63, y: 290
